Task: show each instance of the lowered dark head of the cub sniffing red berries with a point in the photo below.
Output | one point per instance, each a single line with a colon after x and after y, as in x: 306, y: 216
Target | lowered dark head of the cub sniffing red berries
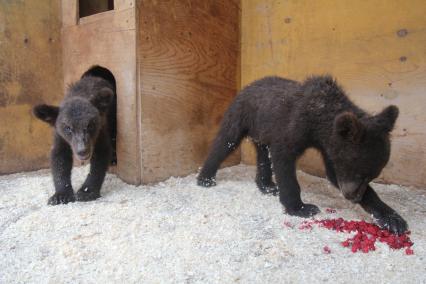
x: 361, y: 149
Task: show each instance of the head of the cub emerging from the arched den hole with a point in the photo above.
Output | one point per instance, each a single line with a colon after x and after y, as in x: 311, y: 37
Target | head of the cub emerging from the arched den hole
x: 81, y: 116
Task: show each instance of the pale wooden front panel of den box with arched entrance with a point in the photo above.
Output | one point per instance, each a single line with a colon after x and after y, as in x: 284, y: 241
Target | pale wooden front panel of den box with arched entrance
x: 109, y: 39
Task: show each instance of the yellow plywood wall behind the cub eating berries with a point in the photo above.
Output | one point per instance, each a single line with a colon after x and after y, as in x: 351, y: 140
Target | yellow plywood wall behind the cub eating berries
x: 375, y: 48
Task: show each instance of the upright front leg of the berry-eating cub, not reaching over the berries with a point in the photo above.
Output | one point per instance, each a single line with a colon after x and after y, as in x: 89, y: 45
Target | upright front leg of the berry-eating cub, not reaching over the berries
x: 285, y: 174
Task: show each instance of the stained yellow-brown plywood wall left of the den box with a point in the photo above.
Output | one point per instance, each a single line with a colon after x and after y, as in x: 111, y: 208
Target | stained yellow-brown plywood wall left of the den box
x: 30, y: 73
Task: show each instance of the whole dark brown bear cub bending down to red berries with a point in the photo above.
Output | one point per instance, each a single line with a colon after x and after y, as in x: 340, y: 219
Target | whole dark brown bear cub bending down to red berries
x: 284, y: 118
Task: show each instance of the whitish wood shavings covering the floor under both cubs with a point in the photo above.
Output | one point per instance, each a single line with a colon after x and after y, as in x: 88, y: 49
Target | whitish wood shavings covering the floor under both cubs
x: 177, y: 232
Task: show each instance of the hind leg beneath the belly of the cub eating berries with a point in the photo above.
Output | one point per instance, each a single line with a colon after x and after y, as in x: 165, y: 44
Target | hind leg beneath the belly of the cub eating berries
x: 264, y: 170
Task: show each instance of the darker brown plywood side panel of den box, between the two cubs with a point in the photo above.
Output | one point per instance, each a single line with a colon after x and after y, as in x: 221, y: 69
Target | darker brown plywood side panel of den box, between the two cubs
x: 187, y: 61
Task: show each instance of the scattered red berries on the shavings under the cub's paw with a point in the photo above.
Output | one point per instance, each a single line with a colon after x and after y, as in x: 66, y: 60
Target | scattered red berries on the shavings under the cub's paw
x: 367, y: 234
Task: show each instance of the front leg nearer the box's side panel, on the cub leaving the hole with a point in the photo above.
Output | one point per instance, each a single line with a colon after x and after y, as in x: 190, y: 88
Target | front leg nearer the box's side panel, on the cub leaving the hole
x: 102, y: 153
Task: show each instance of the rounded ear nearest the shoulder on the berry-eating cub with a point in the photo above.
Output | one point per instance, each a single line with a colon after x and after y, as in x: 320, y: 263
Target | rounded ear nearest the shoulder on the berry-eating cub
x: 348, y: 127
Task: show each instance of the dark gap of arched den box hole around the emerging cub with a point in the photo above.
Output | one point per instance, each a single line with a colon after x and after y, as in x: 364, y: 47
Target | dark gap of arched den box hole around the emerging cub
x: 104, y: 73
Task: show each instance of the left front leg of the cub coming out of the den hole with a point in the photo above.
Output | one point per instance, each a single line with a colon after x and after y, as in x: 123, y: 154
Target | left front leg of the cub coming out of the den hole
x: 61, y: 164
